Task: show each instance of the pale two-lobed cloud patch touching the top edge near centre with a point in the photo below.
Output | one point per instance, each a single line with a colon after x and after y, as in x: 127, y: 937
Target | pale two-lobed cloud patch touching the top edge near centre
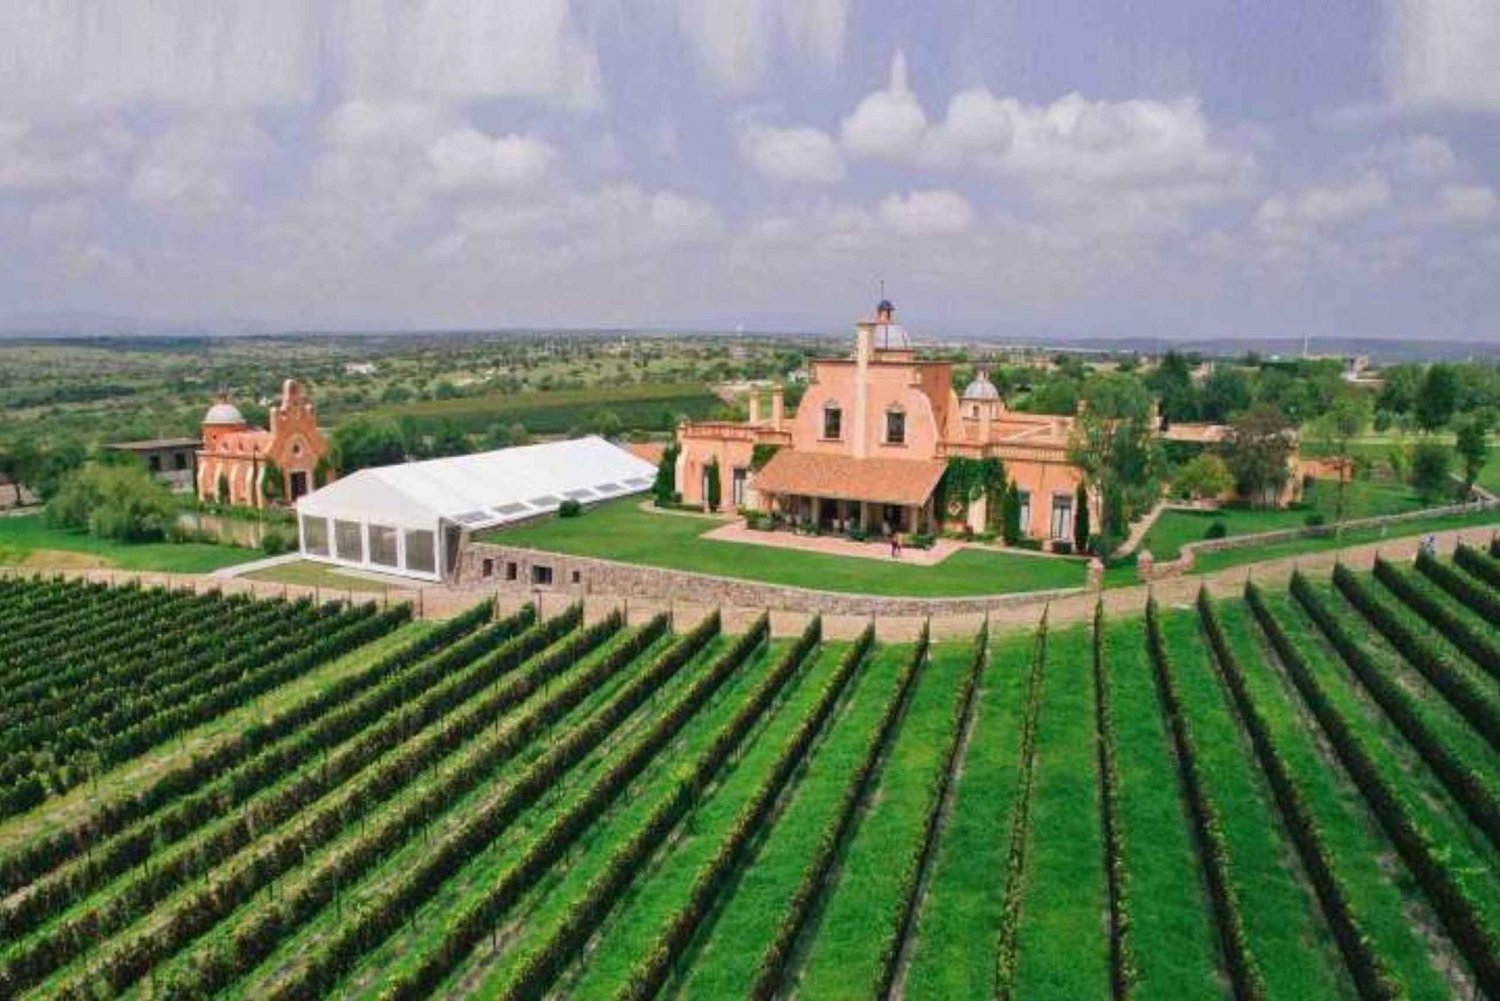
x: 734, y: 40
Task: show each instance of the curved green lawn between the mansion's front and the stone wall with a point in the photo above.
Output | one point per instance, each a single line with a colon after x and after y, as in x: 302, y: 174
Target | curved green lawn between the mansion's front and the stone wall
x: 620, y: 531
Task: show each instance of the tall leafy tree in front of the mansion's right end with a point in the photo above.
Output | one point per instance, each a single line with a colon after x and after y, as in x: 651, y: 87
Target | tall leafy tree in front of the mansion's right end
x: 1115, y: 445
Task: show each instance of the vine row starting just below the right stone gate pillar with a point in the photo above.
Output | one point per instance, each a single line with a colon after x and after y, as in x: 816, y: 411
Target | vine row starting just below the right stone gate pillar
x: 1244, y: 972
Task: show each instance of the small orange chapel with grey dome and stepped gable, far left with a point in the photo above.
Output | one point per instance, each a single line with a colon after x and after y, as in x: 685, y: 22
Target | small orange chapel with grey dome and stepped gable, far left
x: 256, y: 467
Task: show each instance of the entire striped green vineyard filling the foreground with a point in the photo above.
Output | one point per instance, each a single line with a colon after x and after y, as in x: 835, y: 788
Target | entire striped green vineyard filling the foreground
x: 1291, y: 795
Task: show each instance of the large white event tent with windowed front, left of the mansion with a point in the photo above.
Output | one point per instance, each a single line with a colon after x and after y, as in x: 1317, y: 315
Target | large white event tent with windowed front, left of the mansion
x: 392, y: 519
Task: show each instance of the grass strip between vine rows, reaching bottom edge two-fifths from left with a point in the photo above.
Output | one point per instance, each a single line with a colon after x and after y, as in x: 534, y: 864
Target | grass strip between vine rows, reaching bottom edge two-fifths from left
x: 664, y: 892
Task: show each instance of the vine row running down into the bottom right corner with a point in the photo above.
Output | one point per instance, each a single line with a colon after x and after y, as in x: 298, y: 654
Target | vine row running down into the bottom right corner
x: 1427, y: 861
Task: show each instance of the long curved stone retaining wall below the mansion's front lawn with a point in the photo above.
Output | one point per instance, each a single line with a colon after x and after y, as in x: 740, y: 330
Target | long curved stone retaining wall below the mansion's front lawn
x: 517, y: 570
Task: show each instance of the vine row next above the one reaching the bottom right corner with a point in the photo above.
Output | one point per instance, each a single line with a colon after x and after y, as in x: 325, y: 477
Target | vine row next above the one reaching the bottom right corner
x: 1403, y: 711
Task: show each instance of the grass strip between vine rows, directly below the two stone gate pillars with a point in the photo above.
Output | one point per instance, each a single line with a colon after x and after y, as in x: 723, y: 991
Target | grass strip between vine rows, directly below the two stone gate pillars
x: 1172, y: 927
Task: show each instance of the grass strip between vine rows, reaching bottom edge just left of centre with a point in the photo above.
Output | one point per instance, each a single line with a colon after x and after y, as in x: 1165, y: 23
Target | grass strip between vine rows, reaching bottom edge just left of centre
x: 727, y: 961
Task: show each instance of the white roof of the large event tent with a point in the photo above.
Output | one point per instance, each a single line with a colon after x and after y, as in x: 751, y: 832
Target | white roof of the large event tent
x: 484, y: 490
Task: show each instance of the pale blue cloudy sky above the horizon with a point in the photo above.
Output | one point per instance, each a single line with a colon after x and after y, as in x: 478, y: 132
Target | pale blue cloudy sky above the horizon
x: 1045, y: 169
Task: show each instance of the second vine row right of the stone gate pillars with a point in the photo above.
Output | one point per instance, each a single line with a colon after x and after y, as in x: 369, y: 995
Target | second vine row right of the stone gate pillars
x: 1372, y: 976
